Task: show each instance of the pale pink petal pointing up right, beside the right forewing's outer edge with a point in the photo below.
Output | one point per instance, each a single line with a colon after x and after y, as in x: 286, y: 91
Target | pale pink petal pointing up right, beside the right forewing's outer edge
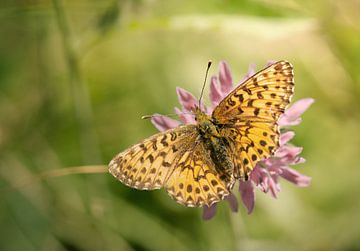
x: 293, y: 113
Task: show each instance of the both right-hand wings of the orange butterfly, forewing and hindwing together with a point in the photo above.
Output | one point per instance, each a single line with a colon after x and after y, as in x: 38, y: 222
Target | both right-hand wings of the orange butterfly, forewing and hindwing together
x: 249, y: 114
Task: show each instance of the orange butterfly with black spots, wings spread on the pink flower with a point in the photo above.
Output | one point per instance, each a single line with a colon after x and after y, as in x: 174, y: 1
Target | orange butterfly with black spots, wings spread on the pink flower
x: 198, y: 164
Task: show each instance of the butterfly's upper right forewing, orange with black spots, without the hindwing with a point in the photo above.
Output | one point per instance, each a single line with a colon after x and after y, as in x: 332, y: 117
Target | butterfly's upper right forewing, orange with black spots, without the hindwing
x: 263, y: 96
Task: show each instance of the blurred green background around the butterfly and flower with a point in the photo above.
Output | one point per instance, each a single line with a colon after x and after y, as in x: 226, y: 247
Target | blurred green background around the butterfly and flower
x: 76, y: 76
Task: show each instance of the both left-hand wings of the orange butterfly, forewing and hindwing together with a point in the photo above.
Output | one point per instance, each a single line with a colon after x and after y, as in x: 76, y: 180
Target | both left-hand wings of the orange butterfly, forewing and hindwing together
x: 177, y: 160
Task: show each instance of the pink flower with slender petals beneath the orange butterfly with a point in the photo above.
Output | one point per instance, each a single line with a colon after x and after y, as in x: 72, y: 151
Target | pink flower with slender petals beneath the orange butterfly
x: 267, y: 172
